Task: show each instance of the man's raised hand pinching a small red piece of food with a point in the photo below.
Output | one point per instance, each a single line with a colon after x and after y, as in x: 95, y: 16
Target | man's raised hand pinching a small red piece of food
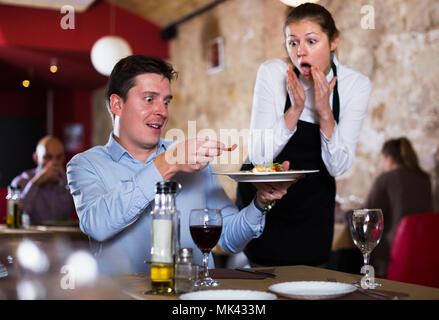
x: 189, y: 156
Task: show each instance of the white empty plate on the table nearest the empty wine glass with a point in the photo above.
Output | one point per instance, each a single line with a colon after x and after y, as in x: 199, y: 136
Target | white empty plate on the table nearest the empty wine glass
x: 312, y: 290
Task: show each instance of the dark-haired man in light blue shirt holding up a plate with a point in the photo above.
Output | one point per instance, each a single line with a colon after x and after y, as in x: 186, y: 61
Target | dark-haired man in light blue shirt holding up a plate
x: 113, y: 186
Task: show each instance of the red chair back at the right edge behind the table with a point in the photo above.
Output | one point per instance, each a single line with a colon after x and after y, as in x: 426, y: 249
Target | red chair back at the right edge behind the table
x: 414, y: 254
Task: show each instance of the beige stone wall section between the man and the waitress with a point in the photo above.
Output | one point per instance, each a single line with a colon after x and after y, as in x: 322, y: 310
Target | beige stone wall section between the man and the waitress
x: 222, y: 100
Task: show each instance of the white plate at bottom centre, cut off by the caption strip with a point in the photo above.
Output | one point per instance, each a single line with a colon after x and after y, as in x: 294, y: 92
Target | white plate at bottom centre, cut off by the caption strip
x: 228, y: 295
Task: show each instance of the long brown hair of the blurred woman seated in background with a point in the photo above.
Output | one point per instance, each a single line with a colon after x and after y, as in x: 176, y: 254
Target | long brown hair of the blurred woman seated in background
x: 402, y: 153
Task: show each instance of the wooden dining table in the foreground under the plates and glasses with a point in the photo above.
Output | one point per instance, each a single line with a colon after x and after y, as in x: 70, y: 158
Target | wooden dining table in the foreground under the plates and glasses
x: 134, y: 286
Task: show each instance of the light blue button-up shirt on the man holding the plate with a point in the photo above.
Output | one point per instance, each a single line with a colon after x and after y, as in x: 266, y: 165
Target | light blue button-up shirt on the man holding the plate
x: 114, y: 195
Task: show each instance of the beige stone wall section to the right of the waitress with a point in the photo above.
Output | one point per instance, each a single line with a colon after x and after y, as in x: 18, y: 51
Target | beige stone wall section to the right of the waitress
x: 401, y: 57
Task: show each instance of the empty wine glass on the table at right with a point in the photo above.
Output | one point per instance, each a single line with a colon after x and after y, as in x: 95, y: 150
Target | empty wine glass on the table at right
x: 366, y: 226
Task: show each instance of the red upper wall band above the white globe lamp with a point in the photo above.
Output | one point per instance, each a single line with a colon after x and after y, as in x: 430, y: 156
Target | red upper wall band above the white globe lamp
x: 41, y: 29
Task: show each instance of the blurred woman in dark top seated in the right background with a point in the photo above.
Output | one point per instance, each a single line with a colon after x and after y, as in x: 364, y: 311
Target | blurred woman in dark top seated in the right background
x: 402, y: 189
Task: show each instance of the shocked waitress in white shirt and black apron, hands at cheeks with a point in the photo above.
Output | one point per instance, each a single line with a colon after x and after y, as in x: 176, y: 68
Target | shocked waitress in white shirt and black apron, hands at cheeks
x: 307, y: 110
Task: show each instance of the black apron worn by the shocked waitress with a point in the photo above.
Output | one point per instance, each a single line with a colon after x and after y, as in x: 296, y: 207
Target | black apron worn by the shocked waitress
x: 299, y: 229
